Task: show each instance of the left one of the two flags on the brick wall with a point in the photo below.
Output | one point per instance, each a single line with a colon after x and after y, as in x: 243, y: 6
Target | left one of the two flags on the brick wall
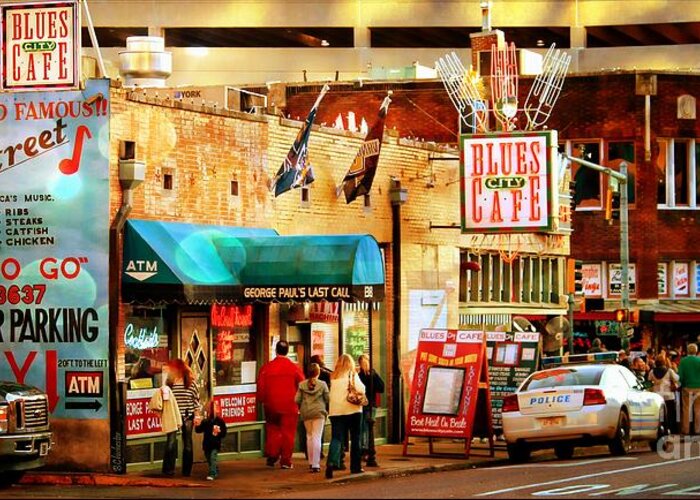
x: 296, y: 170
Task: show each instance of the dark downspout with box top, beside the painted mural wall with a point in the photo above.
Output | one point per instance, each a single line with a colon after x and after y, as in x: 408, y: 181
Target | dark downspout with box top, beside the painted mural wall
x: 131, y: 174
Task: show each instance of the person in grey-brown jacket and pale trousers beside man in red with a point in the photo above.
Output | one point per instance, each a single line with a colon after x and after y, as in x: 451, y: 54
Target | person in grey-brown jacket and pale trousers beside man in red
x: 313, y: 398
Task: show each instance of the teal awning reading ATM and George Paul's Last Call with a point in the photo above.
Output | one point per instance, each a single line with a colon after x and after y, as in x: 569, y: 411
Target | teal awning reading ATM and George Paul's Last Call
x: 173, y: 262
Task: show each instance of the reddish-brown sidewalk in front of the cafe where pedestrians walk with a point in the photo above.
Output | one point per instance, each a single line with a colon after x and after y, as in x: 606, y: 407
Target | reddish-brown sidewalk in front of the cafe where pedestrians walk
x: 261, y: 480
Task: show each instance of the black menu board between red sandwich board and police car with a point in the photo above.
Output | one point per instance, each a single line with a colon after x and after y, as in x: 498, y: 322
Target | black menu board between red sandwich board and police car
x: 512, y: 357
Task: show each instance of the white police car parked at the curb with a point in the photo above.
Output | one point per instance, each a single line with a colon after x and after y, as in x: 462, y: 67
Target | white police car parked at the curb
x: 584, y: 400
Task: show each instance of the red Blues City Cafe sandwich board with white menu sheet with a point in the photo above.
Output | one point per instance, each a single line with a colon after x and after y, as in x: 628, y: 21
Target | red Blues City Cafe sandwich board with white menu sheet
x: 450, y: 393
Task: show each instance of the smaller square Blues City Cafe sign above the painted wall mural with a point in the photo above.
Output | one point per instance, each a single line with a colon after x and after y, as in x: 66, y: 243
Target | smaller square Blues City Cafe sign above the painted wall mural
x: 40, y: 46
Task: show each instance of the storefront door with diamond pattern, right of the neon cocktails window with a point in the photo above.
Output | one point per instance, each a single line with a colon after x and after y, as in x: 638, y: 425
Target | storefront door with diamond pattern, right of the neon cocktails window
x: 195, y: 352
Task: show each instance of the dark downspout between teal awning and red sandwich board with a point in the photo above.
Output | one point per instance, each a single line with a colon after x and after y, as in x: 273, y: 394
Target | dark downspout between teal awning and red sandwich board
x: 398, y: 197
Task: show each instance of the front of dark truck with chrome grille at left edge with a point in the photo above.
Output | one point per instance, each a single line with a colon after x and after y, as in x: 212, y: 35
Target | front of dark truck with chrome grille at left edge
x: 25, y: 435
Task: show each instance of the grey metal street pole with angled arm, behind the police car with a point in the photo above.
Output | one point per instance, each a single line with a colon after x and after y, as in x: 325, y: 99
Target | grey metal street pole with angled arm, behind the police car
x: 621, y: 177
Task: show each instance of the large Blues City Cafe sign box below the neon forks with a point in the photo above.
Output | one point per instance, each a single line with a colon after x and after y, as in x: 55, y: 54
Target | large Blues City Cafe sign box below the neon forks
x: 507, y: 182
